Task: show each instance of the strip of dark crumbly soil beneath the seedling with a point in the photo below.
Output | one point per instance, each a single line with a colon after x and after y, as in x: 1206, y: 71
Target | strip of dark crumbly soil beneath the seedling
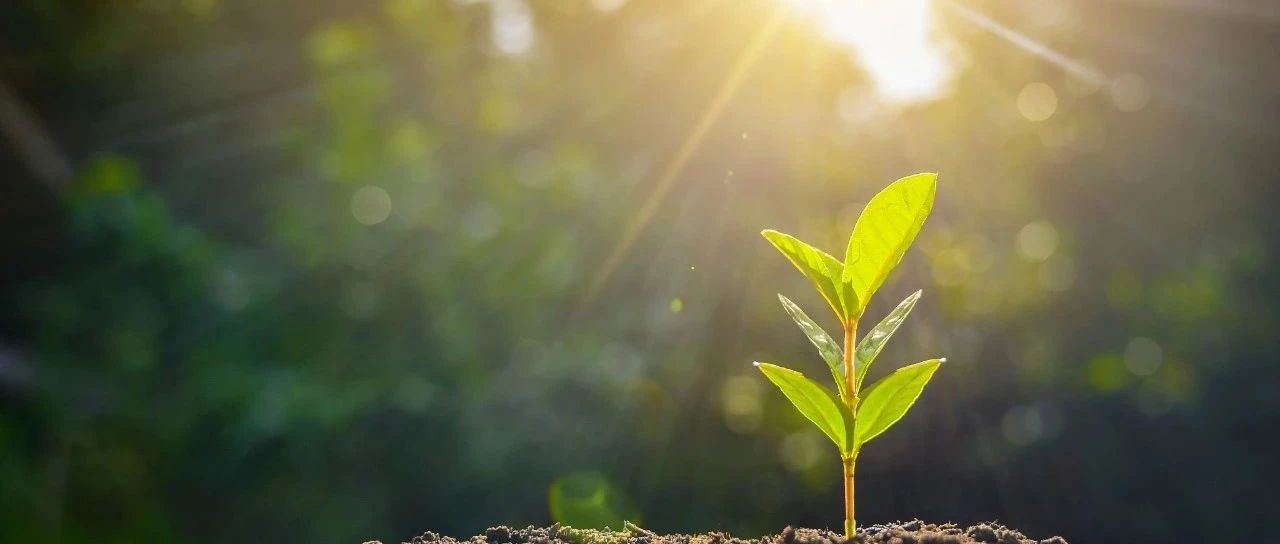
x: 903, y: 533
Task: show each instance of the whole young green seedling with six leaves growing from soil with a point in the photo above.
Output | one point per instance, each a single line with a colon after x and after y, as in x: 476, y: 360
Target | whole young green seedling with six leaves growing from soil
x: 852, y: 417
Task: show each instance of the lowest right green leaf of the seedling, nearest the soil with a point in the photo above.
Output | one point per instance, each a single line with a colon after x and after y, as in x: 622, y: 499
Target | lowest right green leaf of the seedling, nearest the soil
x: 889, y: 400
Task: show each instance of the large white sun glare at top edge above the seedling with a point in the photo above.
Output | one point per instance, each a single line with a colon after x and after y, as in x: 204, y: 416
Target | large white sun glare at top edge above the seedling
x: 892, y: 42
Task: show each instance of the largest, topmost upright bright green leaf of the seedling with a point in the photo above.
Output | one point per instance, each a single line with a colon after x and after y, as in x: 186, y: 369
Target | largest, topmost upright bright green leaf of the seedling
x: 884, y: 232
